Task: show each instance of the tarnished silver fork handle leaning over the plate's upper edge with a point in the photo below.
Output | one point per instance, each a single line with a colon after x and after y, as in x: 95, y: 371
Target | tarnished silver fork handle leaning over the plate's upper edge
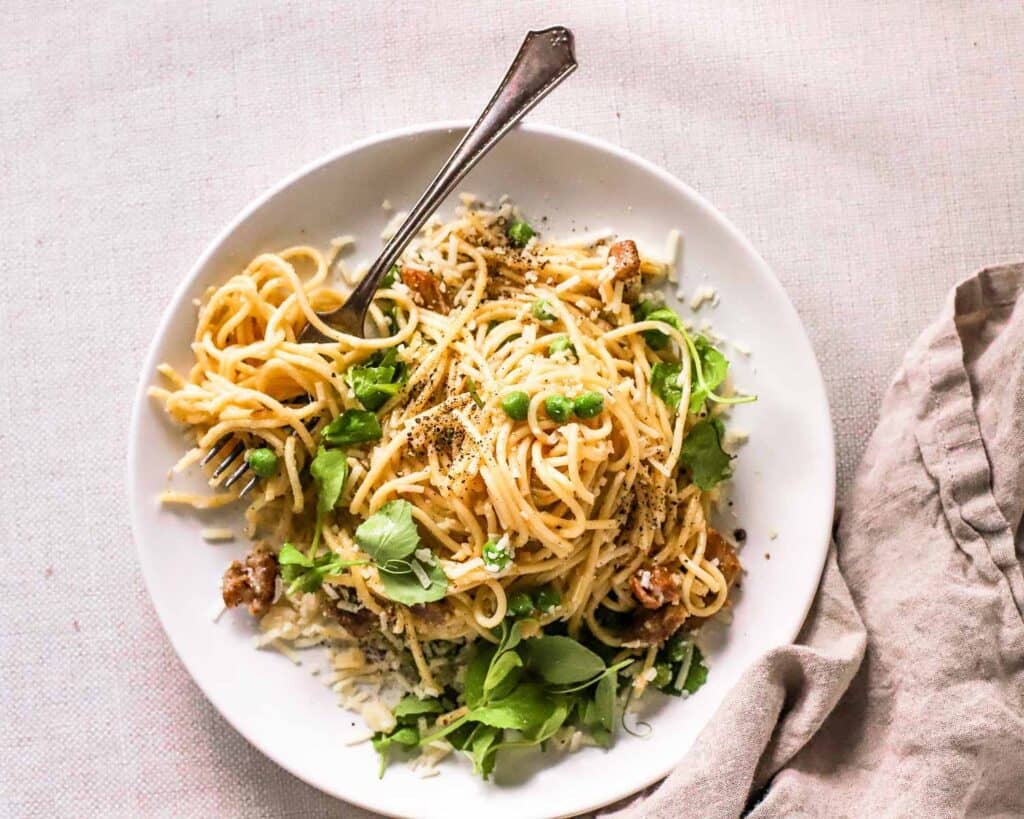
x: 544, y: 61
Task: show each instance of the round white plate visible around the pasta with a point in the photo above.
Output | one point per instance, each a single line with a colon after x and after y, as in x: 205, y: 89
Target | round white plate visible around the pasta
x: 783, y: 492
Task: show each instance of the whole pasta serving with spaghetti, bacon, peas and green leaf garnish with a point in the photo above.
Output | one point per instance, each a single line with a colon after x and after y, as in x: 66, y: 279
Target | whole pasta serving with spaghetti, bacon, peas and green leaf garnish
x: 522, y: 456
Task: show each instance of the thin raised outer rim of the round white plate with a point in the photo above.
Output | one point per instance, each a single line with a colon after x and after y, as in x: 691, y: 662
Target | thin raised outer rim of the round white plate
x: 141, y: 399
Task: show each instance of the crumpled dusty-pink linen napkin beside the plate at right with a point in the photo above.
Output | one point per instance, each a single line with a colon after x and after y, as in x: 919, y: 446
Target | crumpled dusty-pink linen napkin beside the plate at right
x: 905, y: 694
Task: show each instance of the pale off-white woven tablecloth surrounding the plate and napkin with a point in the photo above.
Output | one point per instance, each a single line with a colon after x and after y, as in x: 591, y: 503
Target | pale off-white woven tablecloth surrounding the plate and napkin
x: 874, y: 153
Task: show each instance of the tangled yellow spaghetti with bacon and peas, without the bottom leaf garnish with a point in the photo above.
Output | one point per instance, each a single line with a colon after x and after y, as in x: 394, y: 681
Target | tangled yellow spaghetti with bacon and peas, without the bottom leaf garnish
x: 577, y: 487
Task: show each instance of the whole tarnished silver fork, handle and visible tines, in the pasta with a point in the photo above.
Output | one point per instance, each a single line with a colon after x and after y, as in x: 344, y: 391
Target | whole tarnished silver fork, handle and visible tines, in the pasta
x: 545, y: 60
